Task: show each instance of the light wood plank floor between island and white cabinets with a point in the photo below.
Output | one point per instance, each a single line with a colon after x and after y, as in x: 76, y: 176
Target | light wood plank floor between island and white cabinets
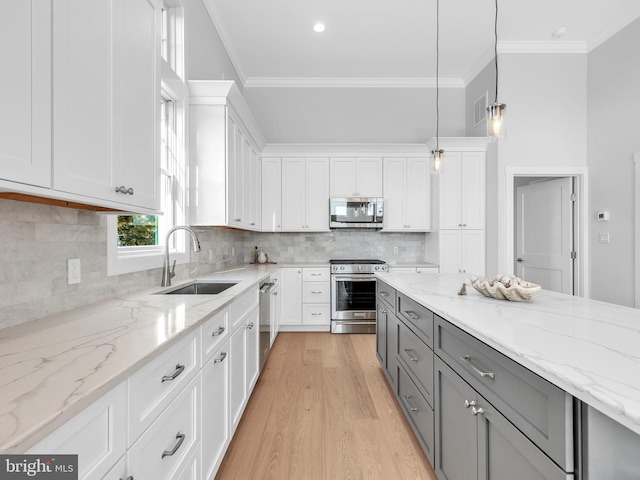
x: 322, y: 409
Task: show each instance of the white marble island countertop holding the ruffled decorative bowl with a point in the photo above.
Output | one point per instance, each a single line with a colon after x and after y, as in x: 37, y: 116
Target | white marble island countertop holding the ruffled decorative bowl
x: 588, y: 348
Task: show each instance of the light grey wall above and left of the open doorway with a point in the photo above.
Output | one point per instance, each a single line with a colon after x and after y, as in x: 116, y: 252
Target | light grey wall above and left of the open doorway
x: 546, y: 97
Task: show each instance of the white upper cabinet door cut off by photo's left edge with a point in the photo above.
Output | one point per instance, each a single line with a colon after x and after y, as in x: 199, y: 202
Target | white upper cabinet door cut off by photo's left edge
x: 25, y: 125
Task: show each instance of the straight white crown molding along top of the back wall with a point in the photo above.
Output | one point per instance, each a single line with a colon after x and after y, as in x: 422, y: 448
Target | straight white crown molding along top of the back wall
x: 346, y: 82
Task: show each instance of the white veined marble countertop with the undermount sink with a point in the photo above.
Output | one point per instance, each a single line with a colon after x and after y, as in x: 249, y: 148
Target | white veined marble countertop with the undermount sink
x: 53, y: 368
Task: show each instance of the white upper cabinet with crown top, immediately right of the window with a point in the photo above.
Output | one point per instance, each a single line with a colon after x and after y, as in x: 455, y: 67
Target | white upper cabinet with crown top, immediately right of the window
x: 225, y: 183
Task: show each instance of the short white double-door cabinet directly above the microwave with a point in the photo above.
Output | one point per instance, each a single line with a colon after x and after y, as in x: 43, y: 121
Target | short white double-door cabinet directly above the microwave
x: 356, y: 177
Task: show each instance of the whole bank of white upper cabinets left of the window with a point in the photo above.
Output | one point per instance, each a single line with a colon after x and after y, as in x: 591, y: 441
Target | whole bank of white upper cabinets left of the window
x: 101, y: 132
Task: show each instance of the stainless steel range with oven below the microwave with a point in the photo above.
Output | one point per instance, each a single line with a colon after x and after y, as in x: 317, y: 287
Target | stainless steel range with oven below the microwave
x: 353, y: 295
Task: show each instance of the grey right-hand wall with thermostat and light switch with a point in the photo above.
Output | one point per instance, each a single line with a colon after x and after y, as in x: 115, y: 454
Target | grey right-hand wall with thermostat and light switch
x: 614, y: 136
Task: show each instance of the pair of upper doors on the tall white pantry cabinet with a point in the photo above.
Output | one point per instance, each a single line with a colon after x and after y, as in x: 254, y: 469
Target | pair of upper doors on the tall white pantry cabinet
x: 462, y: 190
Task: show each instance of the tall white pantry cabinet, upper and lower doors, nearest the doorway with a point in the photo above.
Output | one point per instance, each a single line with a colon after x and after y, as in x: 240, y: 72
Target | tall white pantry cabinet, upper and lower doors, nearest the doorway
x: 458, y: 239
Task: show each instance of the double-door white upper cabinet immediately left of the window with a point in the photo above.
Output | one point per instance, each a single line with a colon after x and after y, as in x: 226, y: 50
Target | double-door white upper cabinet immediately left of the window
x: 106, y: 86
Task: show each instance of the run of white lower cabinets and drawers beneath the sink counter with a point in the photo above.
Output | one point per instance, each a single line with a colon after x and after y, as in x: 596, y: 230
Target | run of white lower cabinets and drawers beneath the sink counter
x: 171, y: 419
